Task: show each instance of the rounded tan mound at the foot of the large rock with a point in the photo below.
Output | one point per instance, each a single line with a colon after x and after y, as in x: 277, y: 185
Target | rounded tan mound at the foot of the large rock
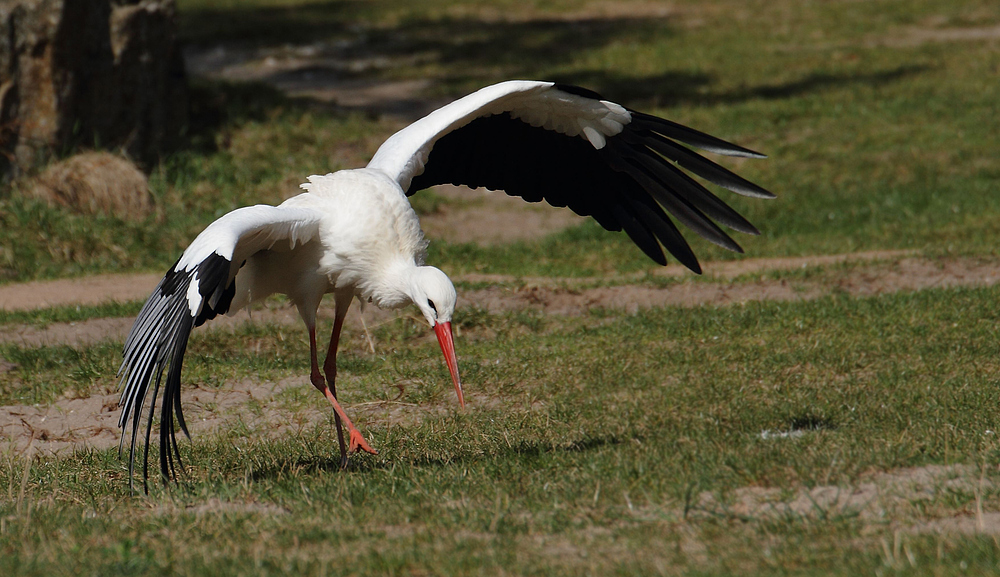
x: 96, y: 183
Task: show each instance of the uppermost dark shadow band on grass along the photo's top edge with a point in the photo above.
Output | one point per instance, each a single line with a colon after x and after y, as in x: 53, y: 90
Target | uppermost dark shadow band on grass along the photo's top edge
x: 353, y: 29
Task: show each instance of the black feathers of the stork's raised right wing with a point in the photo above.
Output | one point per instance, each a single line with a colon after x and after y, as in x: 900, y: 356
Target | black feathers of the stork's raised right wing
x: 622, y: 185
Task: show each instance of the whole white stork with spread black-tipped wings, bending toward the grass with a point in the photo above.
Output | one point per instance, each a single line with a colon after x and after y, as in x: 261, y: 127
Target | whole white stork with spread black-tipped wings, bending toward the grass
x: 352, y: 233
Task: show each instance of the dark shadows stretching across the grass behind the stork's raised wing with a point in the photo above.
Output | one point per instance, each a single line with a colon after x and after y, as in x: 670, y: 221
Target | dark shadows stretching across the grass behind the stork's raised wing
x: 346, y: 43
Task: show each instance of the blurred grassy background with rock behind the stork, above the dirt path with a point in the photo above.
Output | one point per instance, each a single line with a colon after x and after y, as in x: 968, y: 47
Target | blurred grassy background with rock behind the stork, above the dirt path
x: 879, y: 117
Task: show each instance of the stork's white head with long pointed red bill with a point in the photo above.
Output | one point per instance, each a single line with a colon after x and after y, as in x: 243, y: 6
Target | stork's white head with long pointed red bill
x: 431, y: 290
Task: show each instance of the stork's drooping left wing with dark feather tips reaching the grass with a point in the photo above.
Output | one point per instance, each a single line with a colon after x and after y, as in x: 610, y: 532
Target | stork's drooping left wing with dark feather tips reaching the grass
x: 198, y: 287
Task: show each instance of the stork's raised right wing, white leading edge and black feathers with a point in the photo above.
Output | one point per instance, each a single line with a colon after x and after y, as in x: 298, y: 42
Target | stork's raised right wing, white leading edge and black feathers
x: 564, y: 144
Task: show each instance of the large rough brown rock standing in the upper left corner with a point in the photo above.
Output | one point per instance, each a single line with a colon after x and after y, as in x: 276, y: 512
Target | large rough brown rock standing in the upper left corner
x: 80, y: 72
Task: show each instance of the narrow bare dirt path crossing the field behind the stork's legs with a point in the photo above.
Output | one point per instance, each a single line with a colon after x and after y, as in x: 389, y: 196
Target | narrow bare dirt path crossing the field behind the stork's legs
x: 867, y: 274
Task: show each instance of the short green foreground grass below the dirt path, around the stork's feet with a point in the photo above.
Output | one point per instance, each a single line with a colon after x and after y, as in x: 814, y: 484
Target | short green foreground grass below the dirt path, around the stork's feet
x: 570, y: 456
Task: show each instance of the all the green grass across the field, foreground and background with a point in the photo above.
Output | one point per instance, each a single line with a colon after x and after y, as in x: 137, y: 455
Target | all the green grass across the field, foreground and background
x: 592, y: 441
